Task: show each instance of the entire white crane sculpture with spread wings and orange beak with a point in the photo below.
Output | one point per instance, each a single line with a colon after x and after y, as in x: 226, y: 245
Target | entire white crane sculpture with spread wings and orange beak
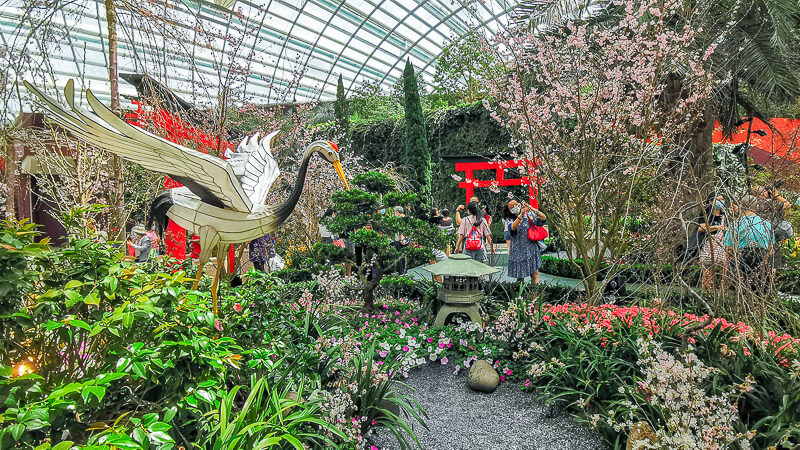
x: 221, y: 201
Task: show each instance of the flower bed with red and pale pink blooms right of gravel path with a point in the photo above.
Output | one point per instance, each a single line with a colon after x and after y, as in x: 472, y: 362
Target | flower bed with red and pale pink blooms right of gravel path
x: 620, y: 365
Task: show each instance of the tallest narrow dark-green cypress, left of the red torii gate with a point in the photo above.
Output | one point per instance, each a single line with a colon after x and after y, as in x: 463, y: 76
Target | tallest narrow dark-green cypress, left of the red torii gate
x: 418, y: 157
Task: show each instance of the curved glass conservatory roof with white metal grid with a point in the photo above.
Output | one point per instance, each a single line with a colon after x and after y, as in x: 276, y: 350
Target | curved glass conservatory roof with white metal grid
x: 270, y: 51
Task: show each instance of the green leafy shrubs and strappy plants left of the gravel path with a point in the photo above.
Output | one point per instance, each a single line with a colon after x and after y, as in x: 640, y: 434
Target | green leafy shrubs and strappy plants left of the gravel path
x: 102, y: 354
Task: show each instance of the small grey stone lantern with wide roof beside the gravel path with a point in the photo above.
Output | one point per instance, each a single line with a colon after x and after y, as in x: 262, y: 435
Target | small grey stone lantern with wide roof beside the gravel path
x: 461, y: 286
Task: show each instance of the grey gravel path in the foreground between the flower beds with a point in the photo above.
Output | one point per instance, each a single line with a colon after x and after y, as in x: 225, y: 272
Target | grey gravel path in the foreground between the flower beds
x: 460, y: 418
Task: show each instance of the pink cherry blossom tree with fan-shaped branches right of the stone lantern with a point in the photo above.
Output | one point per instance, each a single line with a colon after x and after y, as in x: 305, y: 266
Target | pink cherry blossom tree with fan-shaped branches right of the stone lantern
x: 589, y: 105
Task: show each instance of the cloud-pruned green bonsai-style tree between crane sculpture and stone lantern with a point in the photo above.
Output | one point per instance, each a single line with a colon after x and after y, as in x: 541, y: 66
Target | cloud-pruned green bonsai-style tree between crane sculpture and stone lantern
x: 366, y: 215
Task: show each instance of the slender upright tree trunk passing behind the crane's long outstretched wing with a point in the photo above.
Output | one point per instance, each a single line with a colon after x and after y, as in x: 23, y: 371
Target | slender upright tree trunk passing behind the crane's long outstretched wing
x: 117, y: 216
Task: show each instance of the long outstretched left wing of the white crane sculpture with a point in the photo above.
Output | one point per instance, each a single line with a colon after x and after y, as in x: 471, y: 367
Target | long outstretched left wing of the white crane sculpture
x: 211, y: 179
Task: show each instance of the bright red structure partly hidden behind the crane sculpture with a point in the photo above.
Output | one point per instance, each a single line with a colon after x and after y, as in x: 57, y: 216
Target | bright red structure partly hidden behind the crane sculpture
x: 177, y: 131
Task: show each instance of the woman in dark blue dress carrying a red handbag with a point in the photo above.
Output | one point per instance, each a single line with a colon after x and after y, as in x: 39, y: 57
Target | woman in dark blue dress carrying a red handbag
x: 526, y: 232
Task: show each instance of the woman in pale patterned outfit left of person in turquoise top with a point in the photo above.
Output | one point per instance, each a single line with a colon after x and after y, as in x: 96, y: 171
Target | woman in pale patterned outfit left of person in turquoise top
x: 713, y: 253
